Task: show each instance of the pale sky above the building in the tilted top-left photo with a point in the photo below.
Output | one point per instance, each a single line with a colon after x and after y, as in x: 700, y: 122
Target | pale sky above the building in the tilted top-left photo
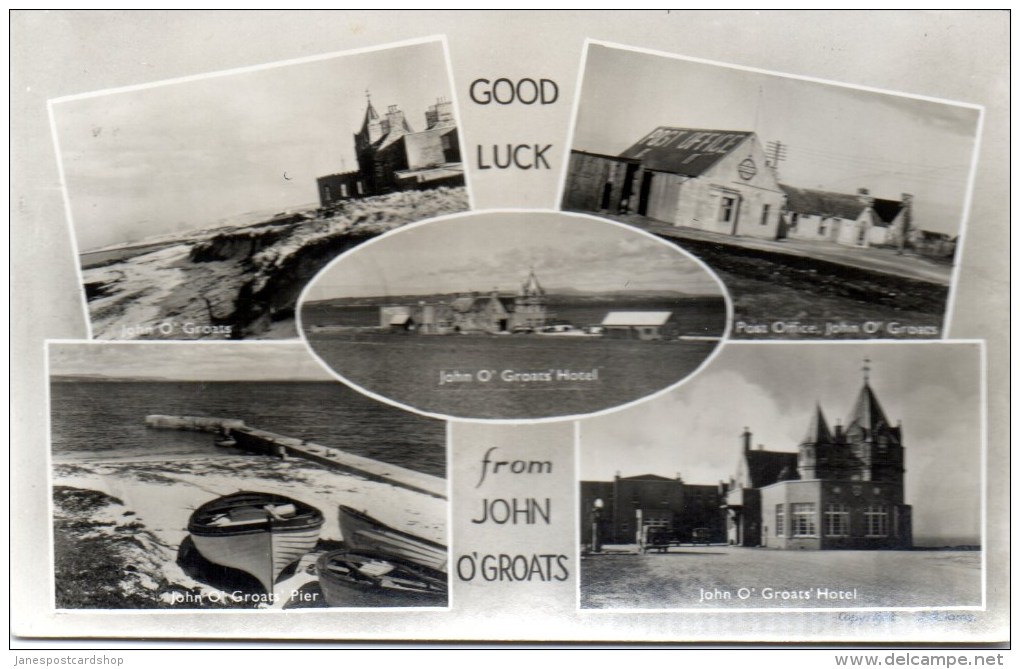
x: 181, y: 157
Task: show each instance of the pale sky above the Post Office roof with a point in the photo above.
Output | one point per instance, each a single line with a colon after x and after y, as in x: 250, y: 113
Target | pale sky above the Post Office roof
x: 838, y: 138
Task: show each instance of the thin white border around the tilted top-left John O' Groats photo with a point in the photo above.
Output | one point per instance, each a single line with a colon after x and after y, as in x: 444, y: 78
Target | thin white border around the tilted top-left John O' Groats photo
x: 441, y: 39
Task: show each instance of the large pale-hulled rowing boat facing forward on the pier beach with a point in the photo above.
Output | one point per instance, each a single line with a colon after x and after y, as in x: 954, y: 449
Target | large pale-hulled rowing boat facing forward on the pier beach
x: 260, y: 534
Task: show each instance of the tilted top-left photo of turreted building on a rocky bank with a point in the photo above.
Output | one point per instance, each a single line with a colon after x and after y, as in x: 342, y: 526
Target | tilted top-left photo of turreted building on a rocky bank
x: 201, y: 208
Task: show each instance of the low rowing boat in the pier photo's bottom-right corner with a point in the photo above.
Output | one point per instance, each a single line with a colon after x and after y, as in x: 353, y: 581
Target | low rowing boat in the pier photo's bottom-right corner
x: 358, y: 580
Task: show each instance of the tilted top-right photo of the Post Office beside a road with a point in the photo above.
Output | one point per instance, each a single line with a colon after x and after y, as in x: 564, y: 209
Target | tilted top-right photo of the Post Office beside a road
x: 829, y: 212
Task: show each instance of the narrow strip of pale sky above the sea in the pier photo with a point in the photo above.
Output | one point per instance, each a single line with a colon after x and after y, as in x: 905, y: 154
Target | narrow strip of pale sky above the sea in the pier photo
x: 191, y: 362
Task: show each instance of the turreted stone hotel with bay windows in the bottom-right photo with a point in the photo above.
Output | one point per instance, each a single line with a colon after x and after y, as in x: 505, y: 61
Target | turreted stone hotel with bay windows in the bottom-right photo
x: 843, y: 489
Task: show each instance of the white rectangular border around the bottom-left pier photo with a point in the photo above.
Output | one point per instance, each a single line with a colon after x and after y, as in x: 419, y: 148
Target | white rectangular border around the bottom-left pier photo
x: 52, y: 553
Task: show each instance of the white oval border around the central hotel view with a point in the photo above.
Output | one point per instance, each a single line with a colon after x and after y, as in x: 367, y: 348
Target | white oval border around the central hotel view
x: 513, y: 422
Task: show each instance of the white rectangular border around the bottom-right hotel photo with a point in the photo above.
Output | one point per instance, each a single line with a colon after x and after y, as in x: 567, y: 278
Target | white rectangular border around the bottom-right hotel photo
x: 983, y: 411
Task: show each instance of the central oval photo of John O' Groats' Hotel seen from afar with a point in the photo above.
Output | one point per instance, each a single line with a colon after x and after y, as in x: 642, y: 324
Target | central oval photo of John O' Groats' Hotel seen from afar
x: 515, y: 316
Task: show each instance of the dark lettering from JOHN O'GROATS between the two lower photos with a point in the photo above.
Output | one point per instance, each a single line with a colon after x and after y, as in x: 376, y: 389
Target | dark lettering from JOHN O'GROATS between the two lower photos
x: 506, y: 514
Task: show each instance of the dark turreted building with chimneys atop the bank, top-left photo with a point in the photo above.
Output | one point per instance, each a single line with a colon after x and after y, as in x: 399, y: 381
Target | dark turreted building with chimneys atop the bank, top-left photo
x: 393, y: 158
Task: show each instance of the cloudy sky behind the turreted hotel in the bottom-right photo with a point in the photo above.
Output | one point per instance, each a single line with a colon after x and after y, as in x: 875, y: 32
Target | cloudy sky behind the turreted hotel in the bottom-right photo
x: 695, y: 431
